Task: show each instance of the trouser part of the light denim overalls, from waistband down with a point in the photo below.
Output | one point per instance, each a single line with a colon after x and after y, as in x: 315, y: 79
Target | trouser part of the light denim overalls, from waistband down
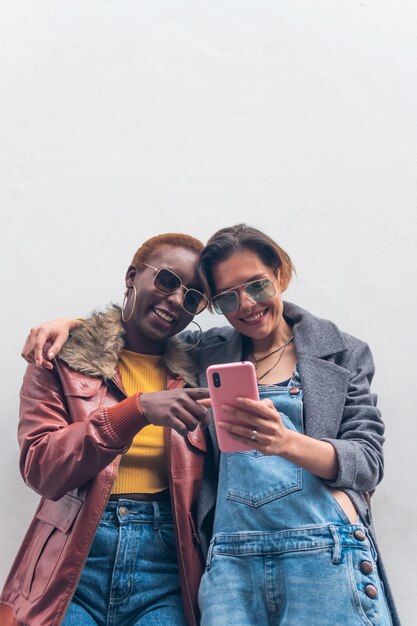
x: 306, y: 577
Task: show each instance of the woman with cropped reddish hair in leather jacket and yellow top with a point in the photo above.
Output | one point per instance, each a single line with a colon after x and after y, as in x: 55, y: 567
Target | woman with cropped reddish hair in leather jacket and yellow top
x: 111, y: 440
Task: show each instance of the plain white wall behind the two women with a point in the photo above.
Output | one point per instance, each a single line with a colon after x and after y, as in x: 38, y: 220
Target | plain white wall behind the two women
x: 124, y: 119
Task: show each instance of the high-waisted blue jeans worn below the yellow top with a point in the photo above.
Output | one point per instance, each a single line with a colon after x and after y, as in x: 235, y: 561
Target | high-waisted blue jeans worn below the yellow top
x: 131, y: 574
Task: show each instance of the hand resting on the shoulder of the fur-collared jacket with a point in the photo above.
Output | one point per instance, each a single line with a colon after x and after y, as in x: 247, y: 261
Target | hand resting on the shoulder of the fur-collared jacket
x: 45, y: 341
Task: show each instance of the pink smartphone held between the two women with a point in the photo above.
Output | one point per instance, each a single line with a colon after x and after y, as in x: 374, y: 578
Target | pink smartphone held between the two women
x: 226, y: 382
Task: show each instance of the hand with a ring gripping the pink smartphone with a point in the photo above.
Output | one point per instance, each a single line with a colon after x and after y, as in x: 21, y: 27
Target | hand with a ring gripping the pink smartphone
x: 261, y: 418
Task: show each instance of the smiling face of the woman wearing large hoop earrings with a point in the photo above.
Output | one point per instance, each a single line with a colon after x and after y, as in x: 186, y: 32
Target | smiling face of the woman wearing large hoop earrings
x: 157, y: 316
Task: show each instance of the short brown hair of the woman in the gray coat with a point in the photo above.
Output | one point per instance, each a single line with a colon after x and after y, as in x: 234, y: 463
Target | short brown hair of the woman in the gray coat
x: 226, y: 241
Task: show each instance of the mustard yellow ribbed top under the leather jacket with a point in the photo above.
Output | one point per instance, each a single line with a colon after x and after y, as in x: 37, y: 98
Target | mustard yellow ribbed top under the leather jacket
x: 143, y: 468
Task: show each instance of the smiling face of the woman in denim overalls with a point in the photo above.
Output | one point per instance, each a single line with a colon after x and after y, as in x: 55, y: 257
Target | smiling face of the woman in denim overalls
x: 262, y: 321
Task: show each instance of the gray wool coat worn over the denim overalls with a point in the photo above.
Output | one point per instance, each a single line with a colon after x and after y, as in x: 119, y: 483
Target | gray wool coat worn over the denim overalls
x: 336, y: 370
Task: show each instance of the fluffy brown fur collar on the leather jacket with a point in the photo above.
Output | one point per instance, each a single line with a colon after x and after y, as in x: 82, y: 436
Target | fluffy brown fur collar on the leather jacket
x: 94, y: 348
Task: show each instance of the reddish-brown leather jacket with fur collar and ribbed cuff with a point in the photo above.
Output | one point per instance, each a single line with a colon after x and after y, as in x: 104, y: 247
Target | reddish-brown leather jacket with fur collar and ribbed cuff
x: 73, y: 426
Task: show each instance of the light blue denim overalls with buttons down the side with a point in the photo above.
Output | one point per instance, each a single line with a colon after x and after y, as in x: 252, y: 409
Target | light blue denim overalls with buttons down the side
x: 283, y: 550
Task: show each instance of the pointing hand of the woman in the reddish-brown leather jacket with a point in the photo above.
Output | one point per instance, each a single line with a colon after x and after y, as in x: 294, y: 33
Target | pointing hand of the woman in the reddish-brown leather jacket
x: 179, y: 409
